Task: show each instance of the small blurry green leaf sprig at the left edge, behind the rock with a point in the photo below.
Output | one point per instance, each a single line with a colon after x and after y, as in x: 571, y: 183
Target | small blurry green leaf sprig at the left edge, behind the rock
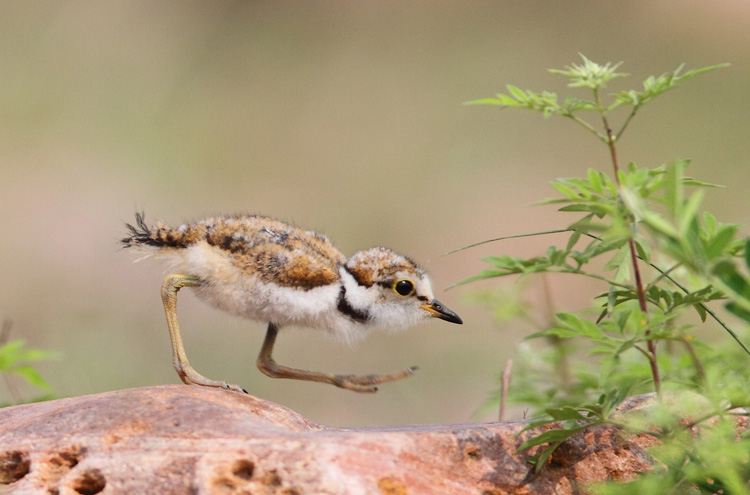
x: 17, y: 359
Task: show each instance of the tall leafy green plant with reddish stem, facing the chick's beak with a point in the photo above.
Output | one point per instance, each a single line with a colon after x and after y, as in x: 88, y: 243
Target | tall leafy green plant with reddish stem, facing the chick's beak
x: 661, y: 257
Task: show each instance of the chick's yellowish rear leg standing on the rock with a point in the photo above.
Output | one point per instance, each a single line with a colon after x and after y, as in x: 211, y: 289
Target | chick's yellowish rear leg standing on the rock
x: 172, y: 284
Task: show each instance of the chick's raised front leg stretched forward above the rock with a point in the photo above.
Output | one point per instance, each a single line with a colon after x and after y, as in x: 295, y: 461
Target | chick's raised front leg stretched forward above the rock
x: 357, y: 383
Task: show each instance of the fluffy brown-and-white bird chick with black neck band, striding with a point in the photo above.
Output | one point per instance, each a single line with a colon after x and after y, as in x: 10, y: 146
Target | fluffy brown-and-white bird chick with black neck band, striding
x: 263, y: 269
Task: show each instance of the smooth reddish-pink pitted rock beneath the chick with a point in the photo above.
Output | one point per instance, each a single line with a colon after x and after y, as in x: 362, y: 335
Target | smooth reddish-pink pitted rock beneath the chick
x: 194, y: 440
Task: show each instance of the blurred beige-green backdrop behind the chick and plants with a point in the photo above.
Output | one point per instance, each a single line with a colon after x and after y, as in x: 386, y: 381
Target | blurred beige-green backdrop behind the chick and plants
x: 343, y: 117
